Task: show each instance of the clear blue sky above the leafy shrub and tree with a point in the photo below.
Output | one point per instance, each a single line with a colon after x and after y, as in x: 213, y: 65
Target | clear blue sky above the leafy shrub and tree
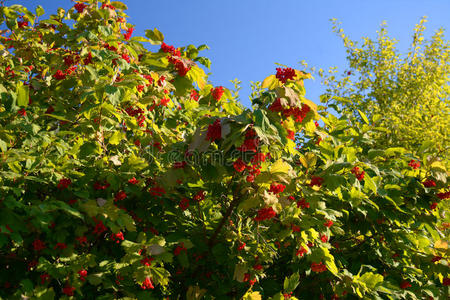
x: 247, y: 37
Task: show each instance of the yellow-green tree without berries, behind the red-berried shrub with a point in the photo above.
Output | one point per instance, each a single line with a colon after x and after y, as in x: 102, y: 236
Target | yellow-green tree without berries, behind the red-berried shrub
x: 406, y: 97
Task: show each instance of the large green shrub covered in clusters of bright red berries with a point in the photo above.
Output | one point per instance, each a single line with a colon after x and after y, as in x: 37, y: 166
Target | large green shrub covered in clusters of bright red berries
x: 125, y: 174
